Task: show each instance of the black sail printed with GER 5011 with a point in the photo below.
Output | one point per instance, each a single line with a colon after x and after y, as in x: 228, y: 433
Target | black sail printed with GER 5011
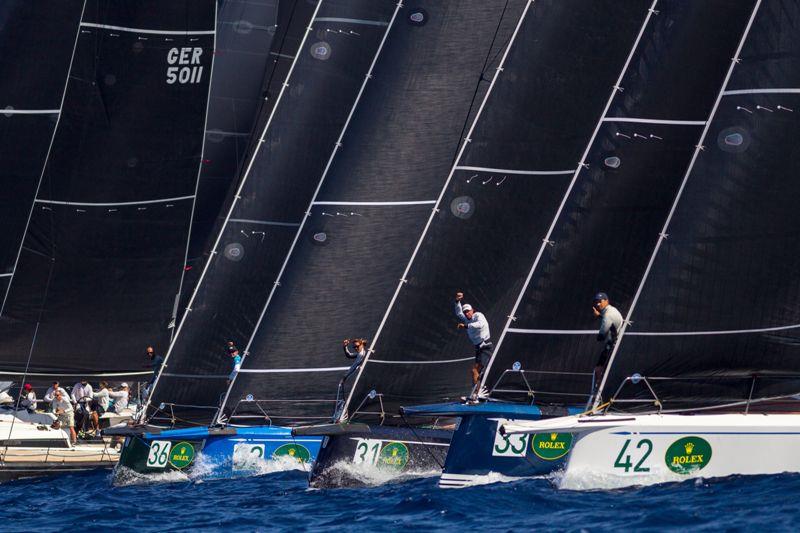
x: 107, y: 234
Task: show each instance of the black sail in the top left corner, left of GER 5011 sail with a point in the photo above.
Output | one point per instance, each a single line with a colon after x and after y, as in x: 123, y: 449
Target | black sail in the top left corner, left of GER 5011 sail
x: 33, y: 74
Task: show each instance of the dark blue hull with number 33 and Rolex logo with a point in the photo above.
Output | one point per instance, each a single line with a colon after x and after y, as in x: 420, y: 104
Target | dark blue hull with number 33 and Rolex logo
x: 478, y: 454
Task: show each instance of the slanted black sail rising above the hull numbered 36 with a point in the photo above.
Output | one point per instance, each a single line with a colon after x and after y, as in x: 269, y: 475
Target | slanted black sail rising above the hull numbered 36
x: 290, y: 155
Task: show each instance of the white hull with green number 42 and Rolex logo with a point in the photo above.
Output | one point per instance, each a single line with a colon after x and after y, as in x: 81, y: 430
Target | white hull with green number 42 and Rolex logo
x: 613, y: 451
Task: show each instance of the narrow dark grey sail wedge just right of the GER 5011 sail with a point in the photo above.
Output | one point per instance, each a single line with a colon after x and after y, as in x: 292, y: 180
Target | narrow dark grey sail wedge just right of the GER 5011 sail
x: 250, y: 59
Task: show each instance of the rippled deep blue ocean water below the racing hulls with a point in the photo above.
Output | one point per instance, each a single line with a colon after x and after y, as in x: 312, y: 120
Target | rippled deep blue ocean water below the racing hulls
x: 282, y: 502
